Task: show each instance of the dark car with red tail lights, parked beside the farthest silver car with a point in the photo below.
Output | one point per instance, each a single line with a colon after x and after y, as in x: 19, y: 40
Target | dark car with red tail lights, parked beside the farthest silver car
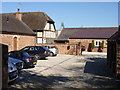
x: 37, y: 51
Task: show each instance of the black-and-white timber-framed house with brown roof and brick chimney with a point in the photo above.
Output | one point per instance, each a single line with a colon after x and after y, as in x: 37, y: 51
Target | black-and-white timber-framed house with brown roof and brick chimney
x: 40, y: 23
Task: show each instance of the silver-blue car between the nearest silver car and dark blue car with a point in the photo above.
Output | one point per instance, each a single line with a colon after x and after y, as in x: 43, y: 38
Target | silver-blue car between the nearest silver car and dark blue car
x: 17, y: 62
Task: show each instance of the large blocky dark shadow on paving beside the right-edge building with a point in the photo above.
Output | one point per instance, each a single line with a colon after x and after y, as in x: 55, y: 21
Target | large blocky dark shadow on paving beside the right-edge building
x: 97, y: 66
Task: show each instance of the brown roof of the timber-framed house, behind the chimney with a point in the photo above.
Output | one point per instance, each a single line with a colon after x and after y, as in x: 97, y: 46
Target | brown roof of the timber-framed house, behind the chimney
x: 35, y: 20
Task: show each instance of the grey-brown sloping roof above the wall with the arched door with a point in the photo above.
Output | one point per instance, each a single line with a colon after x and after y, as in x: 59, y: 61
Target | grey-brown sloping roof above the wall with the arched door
x: 12, y: 25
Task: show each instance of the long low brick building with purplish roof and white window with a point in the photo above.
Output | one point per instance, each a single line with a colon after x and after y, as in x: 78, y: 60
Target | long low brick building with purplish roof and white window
x: 94, y: 38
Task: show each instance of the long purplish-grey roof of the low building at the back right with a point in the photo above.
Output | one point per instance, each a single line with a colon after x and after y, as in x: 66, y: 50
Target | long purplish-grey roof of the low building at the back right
x: 87, y: 33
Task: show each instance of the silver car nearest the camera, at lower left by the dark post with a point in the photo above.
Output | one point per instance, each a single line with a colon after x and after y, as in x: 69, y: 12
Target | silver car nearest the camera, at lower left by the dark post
x: 12, y: 72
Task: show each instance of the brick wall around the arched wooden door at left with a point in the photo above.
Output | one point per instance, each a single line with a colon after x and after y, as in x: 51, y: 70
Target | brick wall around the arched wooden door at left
x: 22, y: 41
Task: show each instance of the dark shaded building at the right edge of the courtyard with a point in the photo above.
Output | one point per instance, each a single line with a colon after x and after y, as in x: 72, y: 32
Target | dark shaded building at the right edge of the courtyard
x: 113, y: 53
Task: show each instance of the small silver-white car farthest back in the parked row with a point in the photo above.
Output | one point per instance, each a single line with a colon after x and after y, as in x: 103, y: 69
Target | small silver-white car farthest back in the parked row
x: 52, y: 48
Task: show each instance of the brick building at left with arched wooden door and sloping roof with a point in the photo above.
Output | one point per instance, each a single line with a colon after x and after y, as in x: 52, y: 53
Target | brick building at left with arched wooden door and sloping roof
x: 15, y: 33
